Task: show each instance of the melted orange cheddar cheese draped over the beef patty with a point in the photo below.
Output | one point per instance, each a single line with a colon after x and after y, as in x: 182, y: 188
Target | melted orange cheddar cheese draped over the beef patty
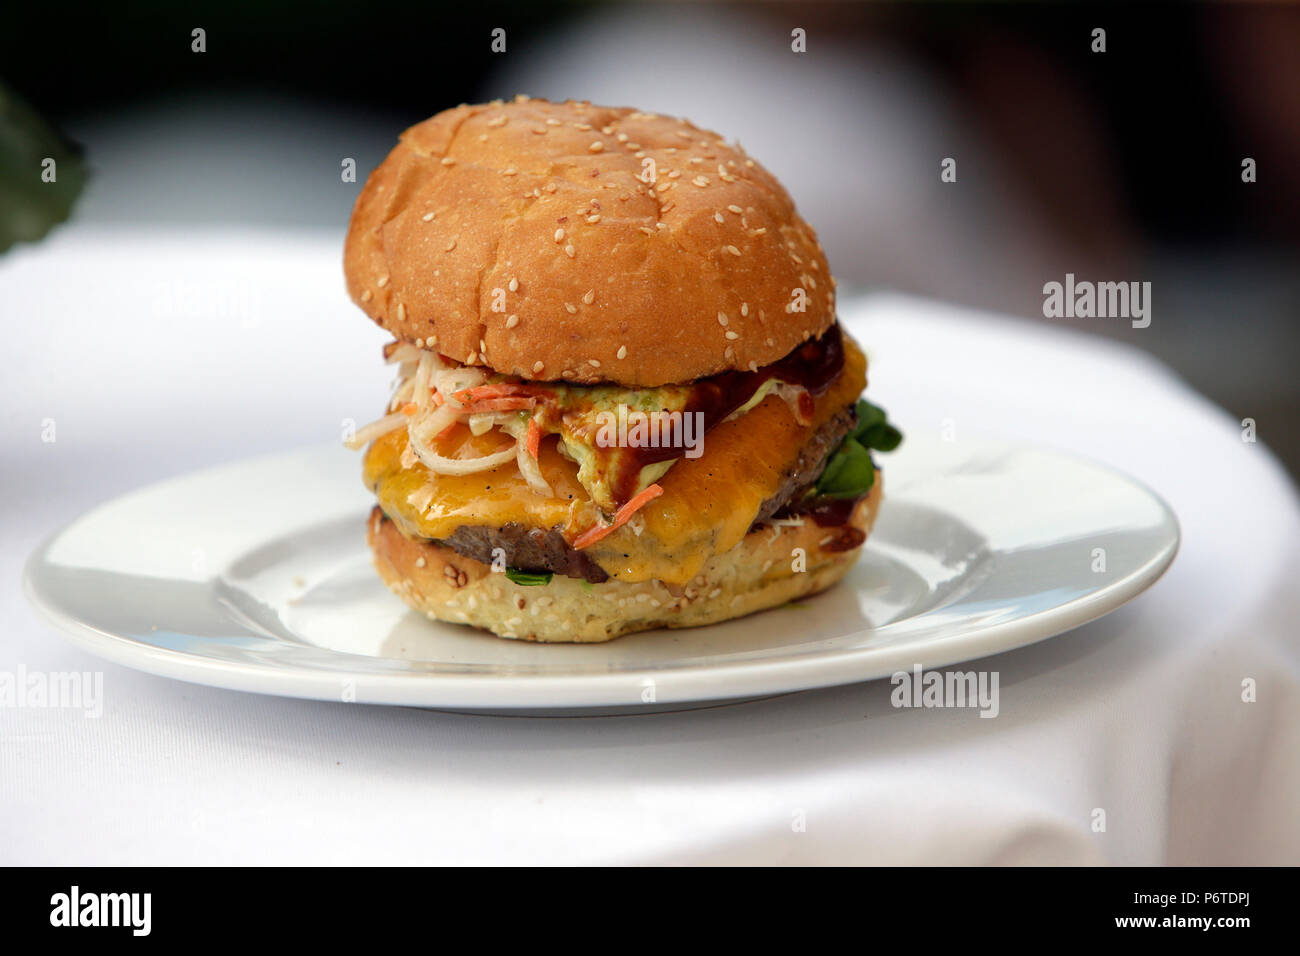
x: 708, y: 504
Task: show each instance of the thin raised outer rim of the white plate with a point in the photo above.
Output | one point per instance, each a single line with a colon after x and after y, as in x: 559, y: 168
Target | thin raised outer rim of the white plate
x: 742, y: 680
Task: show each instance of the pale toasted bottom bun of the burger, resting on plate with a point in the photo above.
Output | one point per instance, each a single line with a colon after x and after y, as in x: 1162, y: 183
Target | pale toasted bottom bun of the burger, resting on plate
x: 759, y: 574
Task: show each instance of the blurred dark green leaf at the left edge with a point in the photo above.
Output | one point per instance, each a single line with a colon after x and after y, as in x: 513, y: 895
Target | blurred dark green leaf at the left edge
x: 34, y: 194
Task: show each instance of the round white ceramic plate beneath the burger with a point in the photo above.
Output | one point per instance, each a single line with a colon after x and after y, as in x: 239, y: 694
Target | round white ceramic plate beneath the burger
x: 257, y: 577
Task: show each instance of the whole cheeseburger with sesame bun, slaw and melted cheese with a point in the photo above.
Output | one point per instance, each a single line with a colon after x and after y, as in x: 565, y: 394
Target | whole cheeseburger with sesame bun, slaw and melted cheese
x: 623, y: 400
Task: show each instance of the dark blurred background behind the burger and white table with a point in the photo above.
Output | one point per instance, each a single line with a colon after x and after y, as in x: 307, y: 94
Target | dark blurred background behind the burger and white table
x: 1124, y: 166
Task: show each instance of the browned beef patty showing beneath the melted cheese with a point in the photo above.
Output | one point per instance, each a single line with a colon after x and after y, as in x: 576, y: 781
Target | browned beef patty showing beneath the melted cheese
x: 535, y: 550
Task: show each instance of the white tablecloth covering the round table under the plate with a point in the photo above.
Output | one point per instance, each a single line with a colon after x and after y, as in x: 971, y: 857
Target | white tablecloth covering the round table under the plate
x: 154, y: 354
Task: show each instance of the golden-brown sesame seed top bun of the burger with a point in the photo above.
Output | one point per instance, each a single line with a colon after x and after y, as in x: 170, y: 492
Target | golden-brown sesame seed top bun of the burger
x: 588, y: 244
